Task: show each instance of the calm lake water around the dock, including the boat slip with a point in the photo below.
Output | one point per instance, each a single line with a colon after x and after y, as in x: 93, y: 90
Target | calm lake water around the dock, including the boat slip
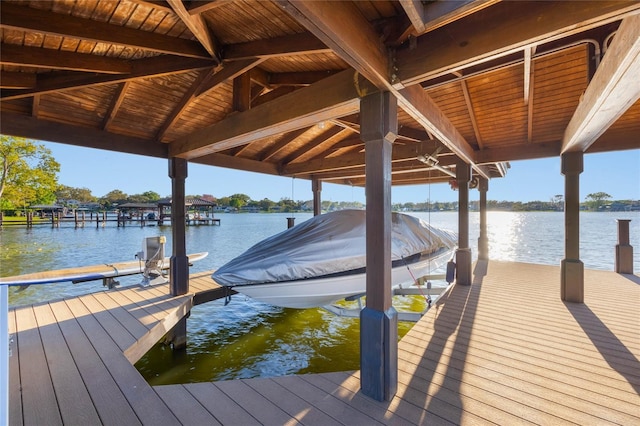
x: 250, y: 339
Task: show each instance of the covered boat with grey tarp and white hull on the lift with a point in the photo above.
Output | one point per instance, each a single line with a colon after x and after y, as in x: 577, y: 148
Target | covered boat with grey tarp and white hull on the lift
x: 323, y: 260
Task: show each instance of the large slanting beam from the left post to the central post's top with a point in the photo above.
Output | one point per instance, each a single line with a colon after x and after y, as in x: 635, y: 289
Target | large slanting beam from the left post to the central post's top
x: 332, y: 97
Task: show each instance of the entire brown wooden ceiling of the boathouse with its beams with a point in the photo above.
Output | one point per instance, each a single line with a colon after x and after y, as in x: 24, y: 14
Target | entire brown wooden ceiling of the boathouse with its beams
x: 274, y: 86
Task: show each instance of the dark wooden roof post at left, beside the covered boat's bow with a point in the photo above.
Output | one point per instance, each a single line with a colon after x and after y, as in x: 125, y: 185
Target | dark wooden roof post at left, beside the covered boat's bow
x: 179, y: 262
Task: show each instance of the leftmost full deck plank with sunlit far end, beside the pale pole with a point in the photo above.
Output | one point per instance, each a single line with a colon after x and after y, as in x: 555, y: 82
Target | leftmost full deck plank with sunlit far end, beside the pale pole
x: 39, y: 402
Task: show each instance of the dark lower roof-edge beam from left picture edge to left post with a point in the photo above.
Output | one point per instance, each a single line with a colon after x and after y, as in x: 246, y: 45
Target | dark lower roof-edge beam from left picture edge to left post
x: 33, y: 128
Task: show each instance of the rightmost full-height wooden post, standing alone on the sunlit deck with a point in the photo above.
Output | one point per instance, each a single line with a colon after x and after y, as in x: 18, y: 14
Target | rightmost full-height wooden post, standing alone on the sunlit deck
x: 571, y: 267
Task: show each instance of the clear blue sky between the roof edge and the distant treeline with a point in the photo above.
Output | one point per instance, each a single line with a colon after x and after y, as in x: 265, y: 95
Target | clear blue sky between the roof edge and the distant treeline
x: 616, y: 173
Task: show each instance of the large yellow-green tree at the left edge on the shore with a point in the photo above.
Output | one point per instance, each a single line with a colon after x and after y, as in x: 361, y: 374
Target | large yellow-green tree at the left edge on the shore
x: 28, y: 173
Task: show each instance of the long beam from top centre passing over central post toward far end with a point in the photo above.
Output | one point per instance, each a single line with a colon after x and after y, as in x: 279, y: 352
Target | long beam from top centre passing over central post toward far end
x: 343, y: 28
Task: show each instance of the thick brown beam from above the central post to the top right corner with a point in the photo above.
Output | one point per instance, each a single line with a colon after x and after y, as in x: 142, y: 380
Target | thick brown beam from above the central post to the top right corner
x: 514, y: 25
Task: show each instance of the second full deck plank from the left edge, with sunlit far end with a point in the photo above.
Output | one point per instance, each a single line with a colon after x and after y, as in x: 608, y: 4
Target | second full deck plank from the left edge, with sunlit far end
x: 72, y: 396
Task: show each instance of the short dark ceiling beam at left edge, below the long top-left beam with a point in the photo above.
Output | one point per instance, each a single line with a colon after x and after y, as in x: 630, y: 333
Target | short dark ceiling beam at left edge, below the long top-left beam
x: 58, y: 59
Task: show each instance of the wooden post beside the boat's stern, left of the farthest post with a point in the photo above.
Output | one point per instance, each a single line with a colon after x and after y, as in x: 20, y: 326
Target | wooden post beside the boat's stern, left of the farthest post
x: 463, y: 254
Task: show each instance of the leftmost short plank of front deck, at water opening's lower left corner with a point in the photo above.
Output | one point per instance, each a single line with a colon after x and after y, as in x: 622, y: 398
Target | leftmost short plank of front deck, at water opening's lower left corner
x: 185, y: 406
